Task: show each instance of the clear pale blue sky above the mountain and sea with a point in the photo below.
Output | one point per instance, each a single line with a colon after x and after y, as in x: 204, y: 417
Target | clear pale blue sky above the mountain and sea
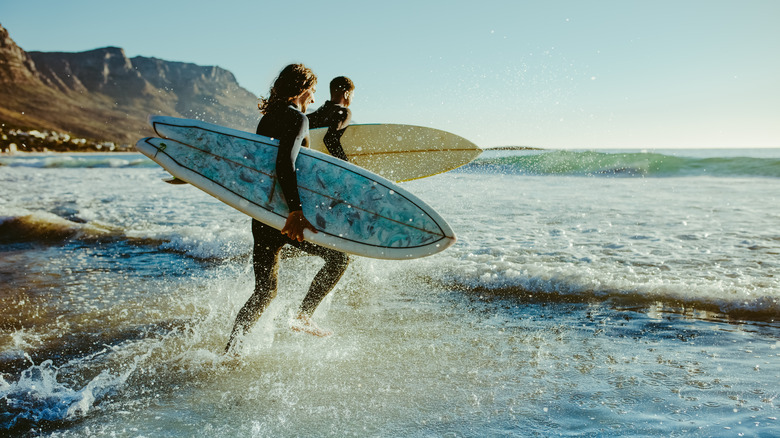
x: 552, y: 74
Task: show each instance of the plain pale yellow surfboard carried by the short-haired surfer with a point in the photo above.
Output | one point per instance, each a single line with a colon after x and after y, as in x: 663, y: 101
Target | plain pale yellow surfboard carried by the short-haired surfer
x: 401, y: 152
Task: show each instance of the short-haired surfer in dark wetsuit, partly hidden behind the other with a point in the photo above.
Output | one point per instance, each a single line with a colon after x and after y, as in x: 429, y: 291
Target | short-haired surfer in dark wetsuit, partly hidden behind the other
x: 335, y: 115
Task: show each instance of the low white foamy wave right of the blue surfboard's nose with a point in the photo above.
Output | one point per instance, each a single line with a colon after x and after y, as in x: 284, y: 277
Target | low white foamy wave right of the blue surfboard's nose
x: 491, y: 276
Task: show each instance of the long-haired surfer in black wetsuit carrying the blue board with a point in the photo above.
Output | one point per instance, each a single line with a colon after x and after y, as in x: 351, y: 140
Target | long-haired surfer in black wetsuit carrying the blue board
x: 284, y: 119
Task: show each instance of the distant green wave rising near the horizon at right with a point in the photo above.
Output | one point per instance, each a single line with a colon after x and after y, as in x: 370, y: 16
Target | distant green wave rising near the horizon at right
x: 625, y: 164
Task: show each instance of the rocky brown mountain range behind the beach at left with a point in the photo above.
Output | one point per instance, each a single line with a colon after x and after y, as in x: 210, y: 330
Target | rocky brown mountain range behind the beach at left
x: 104, y: 95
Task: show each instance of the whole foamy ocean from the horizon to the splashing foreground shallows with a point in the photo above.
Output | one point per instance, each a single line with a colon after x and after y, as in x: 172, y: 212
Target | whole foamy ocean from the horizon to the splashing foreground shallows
x: 590, y: 293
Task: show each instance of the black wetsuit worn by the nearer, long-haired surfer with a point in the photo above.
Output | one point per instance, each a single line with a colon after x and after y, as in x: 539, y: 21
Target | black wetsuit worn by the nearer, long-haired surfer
x: 290, y: 127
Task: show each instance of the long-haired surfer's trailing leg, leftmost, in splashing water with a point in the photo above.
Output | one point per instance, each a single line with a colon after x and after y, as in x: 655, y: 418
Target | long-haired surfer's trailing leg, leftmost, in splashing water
x: 265, y: 260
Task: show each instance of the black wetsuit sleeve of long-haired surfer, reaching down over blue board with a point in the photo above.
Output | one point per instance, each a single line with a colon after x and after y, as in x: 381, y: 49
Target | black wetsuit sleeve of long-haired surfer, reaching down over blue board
x: 289, y: 143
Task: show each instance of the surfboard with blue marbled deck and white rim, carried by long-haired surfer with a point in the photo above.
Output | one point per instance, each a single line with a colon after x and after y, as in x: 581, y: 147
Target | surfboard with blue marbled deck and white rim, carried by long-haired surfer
x: 354, y: 210
